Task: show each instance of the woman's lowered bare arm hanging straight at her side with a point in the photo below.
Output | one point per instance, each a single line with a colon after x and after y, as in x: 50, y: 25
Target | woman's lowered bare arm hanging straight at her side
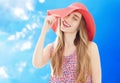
x: 95, y: 62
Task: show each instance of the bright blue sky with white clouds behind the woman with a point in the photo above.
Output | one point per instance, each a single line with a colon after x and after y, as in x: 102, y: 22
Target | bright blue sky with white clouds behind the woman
x: 20, y: 26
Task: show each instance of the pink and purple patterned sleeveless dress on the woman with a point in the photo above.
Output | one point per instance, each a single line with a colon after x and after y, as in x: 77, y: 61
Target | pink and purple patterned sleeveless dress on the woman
x: 68, y: 70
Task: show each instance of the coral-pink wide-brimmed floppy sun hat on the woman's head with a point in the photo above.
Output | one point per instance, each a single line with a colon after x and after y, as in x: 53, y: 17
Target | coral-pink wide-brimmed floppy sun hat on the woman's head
x: 90, y: 24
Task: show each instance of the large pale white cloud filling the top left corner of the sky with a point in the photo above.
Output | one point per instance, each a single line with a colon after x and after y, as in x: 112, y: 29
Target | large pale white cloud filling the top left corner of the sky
x: 18, y: 8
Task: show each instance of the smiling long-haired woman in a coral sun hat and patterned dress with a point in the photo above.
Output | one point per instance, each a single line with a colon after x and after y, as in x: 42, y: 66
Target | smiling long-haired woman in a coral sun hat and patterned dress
x: 74, y: 56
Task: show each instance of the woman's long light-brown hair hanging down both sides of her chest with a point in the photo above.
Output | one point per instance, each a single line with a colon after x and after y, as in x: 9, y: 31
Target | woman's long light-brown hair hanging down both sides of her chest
x: 83, y: 67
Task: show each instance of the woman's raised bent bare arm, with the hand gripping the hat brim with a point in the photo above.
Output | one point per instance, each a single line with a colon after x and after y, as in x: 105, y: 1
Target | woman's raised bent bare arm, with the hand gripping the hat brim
x: 41, y: 56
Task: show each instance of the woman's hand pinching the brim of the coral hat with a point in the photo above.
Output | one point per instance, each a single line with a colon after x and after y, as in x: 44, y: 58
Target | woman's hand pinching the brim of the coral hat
x: 49, y: 21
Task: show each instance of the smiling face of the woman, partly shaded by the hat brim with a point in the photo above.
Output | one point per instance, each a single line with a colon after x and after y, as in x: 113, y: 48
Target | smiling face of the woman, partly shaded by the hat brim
x: 71, y: 22
